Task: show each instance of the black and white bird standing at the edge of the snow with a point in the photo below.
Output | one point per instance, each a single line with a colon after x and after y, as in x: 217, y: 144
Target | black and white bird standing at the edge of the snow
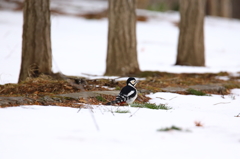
x: 128, y: 94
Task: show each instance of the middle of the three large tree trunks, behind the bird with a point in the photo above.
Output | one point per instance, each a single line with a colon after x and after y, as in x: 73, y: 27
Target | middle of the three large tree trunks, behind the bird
x: 122, y: 45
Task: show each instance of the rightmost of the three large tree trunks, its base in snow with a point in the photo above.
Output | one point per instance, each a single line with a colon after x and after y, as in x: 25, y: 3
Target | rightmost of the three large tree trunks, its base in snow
x: 191, y: 37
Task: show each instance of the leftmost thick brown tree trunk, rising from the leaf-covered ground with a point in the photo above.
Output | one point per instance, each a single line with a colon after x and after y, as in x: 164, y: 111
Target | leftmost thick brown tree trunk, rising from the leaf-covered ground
x: 36, y: 40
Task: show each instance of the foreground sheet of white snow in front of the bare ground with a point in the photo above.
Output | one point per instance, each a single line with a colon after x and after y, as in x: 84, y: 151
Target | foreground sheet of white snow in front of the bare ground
x: 60, y: 132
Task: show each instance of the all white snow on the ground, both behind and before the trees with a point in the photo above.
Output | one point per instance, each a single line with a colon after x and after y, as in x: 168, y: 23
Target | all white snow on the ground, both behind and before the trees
x: 79, y: 48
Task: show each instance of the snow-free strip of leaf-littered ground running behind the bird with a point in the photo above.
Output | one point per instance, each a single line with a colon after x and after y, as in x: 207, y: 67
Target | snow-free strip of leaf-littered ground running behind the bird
x: 61, y: 90
